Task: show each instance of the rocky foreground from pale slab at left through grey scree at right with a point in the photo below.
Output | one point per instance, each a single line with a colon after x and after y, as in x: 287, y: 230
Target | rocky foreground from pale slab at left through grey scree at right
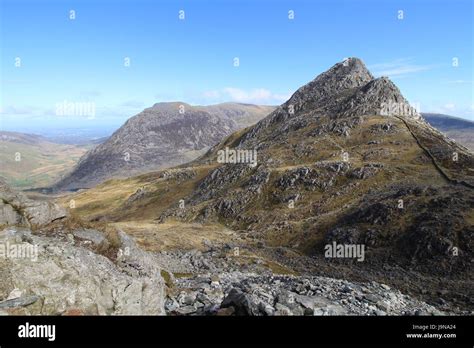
x: 86, y: 272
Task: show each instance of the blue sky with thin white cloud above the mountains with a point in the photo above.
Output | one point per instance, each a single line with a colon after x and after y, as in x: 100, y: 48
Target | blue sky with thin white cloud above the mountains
x: 82, y: 60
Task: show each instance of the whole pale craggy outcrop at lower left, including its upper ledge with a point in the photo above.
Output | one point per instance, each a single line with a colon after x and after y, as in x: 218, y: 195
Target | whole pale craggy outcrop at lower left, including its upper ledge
x: 56, y: 273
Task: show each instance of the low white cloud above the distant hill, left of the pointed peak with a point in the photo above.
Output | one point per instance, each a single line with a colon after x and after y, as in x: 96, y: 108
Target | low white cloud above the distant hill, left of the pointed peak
x: 256, y: 95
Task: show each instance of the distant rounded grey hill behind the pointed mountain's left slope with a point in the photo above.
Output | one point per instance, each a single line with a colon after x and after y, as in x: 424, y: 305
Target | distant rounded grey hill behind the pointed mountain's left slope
x: 164, y: 135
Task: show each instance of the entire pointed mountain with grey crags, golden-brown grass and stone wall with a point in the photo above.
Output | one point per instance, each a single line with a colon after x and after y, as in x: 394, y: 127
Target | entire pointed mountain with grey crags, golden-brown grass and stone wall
x: 345, y: 160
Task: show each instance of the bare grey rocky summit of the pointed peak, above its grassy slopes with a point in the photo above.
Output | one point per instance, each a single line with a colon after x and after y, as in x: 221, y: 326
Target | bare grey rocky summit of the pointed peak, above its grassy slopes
x: 345, y: 90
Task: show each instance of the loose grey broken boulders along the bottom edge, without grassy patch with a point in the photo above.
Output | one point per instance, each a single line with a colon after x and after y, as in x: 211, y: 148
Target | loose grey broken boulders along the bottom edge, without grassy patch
x: 240, y: 293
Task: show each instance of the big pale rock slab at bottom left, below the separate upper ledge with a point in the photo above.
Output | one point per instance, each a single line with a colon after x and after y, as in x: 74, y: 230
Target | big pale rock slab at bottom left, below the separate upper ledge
x: 56, y: 276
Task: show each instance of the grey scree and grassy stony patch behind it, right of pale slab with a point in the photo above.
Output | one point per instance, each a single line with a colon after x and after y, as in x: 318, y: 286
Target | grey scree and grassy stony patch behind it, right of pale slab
x: 217, y: 282
